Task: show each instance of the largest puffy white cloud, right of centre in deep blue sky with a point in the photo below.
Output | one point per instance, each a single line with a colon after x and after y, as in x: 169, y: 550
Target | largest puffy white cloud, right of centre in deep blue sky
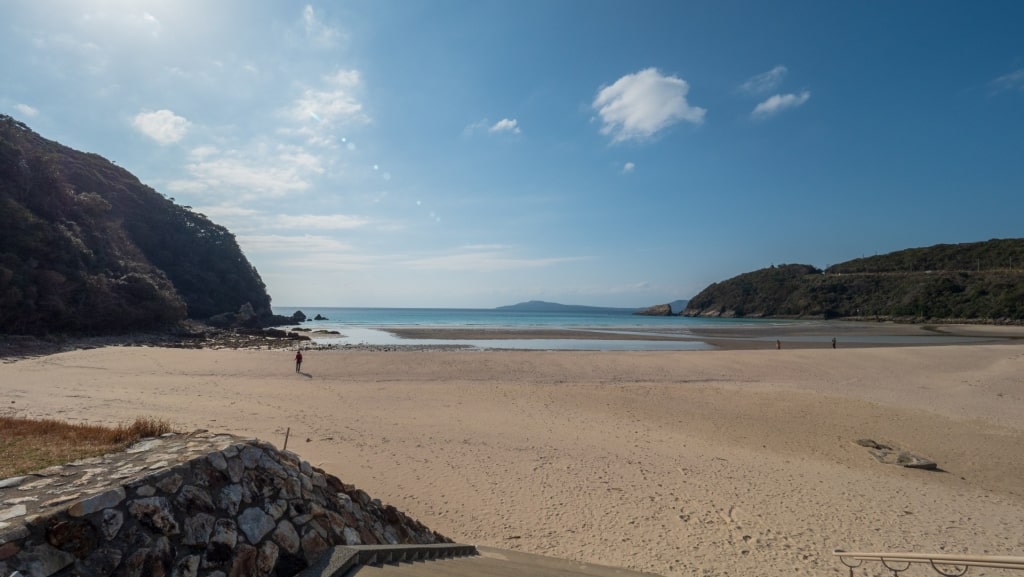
x: 638, y: 106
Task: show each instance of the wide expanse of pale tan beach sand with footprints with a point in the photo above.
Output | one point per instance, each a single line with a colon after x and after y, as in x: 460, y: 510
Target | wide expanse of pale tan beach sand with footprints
x: 727, y: 463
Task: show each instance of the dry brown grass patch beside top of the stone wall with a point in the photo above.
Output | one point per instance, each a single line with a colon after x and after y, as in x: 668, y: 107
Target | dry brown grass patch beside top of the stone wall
x: 28, y: 445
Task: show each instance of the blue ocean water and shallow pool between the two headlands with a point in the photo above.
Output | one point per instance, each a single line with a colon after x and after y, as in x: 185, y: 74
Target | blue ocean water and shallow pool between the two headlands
x: 369, y: 326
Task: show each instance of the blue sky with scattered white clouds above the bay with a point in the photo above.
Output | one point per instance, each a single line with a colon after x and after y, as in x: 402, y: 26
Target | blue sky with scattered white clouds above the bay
x: 383, y: 153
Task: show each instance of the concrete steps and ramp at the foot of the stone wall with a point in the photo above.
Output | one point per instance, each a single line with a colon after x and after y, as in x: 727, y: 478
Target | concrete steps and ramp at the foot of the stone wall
x: 451, y: 561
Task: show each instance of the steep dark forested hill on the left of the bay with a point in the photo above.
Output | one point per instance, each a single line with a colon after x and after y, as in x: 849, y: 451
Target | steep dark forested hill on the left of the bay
x: 87, y: 248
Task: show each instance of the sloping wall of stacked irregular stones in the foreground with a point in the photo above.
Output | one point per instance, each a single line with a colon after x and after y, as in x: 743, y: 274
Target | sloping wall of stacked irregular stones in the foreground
x: 189, y: 506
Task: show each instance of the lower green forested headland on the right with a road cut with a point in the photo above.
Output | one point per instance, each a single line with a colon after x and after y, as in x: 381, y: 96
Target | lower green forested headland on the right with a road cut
x: 979, y: 282
